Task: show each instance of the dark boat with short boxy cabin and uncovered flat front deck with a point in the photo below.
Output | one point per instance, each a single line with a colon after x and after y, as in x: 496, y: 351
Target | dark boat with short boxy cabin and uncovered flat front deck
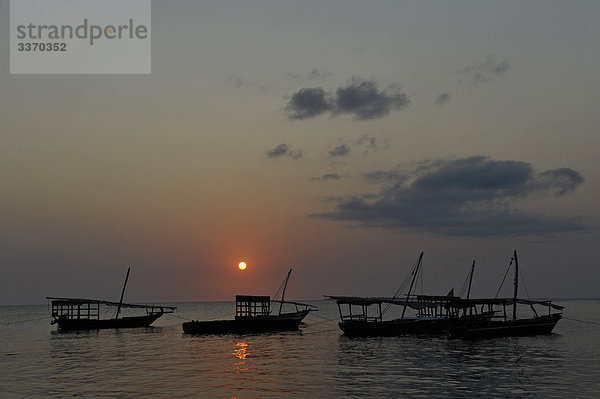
x: 254, y: 314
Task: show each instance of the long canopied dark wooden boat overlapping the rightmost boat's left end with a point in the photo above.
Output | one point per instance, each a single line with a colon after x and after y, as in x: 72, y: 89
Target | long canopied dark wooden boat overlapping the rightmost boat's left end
x: 361, y: 317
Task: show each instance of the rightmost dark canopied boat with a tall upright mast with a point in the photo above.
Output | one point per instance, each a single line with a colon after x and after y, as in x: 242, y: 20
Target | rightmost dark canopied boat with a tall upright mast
x: 501, y: 324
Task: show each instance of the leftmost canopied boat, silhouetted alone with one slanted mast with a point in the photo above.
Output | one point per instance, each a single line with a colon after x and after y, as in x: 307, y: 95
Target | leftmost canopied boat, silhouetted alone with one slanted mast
x: 76, y: 314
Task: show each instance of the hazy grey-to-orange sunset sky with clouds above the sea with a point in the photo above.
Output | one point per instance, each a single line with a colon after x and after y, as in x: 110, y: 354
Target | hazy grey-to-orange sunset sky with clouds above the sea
x: 337, y: 138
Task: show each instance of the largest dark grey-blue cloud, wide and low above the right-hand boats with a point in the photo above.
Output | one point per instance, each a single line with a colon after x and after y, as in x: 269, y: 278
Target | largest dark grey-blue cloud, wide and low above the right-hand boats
x: 472, y: 196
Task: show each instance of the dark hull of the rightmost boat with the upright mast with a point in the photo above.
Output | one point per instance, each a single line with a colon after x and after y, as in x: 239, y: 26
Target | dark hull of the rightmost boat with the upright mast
x: 510, y: 328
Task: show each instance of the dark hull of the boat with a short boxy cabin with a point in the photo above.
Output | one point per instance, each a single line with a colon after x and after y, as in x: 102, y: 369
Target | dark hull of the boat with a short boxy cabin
x: 284, y: 322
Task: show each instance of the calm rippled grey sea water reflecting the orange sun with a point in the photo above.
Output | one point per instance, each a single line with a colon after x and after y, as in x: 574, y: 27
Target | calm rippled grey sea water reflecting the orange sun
x: 316, y: 362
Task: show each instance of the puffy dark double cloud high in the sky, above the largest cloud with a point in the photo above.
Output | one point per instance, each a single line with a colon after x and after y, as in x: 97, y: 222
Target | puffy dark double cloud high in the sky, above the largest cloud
x: 361, y: 98
